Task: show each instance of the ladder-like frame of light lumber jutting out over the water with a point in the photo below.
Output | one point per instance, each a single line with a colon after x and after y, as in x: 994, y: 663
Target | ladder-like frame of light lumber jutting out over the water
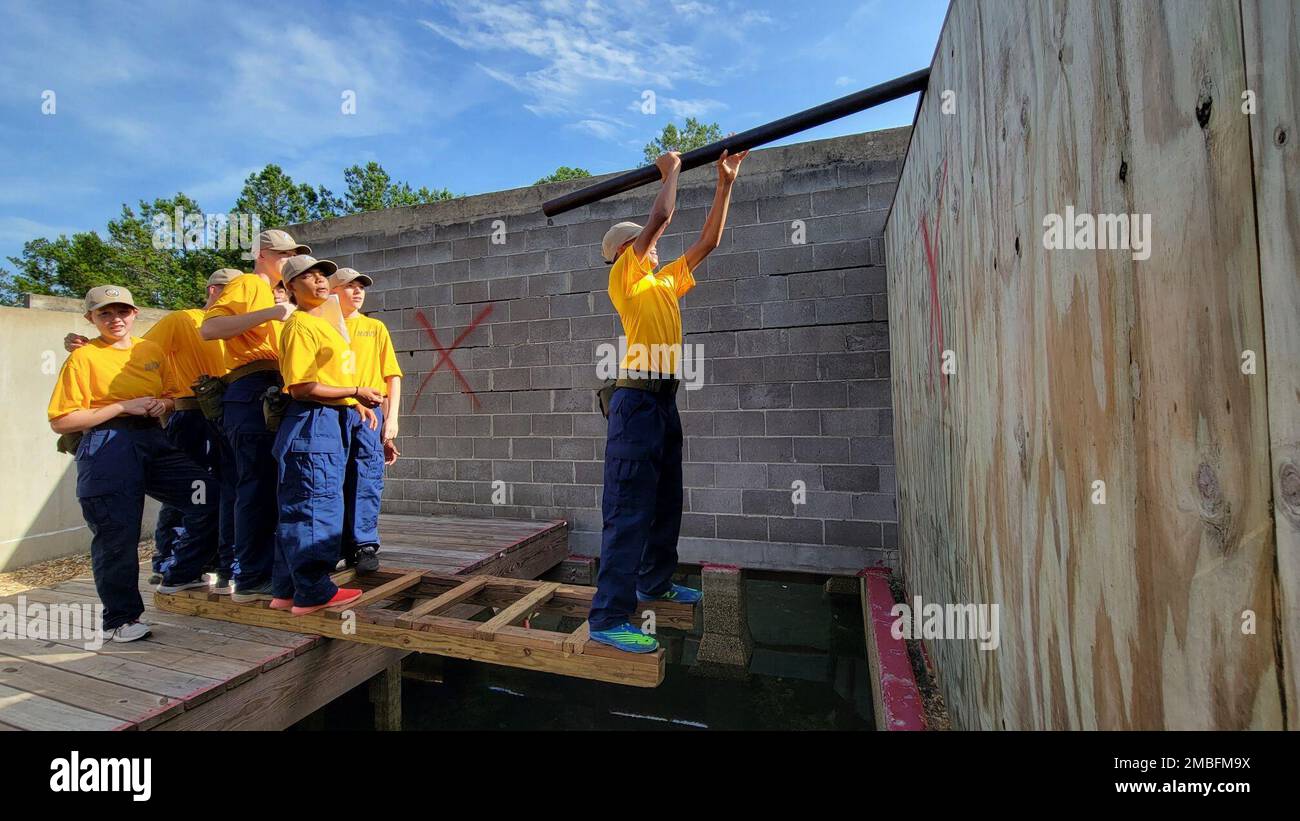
x: 434, y: 614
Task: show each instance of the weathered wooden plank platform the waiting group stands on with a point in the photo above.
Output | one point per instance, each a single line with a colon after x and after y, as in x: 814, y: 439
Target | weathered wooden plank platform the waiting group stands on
x: 203, y: 674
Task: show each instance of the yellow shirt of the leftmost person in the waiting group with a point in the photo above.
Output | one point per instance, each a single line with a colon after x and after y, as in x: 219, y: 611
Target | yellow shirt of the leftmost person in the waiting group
x: 98, y: 375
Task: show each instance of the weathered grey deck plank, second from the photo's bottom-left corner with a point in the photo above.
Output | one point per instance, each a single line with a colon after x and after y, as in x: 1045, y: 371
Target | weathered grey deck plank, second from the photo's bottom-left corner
x: 144, y: 710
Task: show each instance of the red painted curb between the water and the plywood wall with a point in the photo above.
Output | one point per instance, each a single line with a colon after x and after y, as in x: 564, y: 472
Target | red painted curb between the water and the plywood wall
x: 899, y: 697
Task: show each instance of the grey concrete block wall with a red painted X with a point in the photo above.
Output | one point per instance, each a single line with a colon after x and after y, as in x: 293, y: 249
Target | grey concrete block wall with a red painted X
x: 795, y: 342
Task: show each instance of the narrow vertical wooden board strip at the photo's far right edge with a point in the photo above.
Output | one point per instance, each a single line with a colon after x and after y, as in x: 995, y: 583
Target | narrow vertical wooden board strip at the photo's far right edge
x: 1272, y: 33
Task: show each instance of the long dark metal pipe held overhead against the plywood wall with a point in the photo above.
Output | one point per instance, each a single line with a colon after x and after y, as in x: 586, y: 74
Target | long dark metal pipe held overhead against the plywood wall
x: 760, y: 136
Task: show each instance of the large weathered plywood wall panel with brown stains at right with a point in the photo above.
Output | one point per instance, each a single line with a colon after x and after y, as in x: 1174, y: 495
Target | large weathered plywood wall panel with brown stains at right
x: 1084, y: 367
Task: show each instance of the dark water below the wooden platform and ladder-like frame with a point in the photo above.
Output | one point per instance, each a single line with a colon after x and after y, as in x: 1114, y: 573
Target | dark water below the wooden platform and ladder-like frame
x: 808, y: 672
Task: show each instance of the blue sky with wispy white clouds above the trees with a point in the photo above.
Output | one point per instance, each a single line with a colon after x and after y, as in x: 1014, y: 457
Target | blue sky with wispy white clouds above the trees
x: 162, y: 97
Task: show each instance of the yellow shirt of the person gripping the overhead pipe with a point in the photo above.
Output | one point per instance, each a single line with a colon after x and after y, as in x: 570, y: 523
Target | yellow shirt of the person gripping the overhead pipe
x: 648, y: 307
